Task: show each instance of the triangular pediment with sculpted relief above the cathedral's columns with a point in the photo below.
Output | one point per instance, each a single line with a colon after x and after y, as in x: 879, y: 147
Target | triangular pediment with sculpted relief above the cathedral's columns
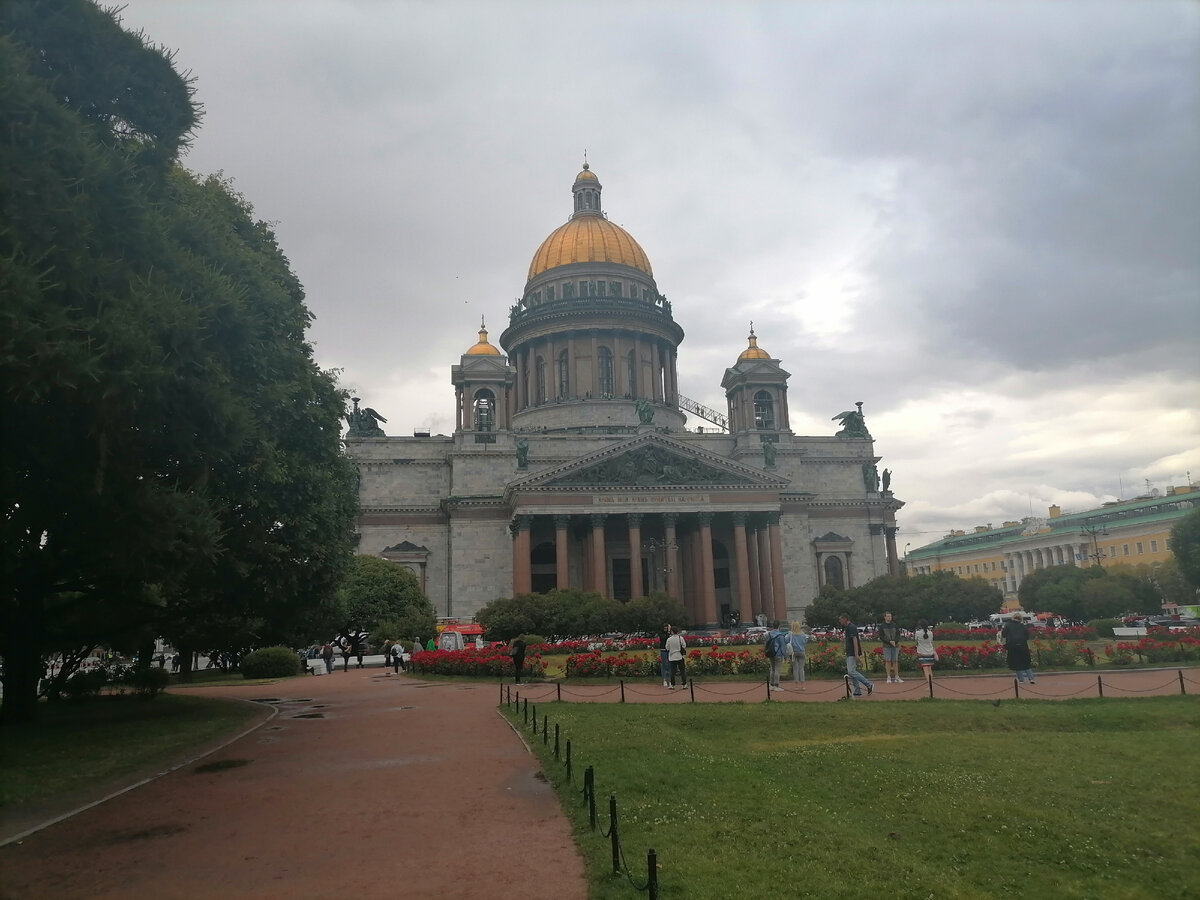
x: 650, y: 461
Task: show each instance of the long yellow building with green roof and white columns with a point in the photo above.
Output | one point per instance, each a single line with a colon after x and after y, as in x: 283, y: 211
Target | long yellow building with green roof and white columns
x: 1127, y: 532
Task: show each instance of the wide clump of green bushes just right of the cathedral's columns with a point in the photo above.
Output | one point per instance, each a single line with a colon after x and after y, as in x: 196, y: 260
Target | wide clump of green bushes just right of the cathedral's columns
x: 934, y: 598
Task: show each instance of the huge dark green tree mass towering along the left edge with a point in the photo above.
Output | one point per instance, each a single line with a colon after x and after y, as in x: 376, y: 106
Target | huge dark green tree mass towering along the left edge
x: 179, y: 467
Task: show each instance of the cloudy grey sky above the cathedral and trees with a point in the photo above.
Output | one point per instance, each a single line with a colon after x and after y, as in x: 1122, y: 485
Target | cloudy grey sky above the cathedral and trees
x: 981, y: 220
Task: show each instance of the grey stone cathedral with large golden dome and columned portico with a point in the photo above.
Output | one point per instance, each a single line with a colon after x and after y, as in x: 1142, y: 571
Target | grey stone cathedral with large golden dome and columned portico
x: 572, y: 464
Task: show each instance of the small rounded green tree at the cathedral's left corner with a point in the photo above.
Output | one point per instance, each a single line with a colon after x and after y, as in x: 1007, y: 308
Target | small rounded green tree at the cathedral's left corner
x: 377, y: 592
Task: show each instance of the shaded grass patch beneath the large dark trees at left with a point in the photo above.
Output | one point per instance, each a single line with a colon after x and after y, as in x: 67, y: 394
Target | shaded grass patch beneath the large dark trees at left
x: 76, y: 747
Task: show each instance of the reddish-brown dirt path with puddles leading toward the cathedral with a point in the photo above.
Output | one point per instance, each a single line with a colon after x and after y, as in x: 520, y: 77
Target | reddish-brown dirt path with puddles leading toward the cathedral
x: 398, y: 788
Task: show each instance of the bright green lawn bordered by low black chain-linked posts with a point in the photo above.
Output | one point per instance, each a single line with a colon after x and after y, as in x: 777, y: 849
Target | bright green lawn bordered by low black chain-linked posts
x: 1089, y: 799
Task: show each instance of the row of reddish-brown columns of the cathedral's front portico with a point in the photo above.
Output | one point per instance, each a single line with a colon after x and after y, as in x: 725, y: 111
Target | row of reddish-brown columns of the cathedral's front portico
x: 705, y: 560
